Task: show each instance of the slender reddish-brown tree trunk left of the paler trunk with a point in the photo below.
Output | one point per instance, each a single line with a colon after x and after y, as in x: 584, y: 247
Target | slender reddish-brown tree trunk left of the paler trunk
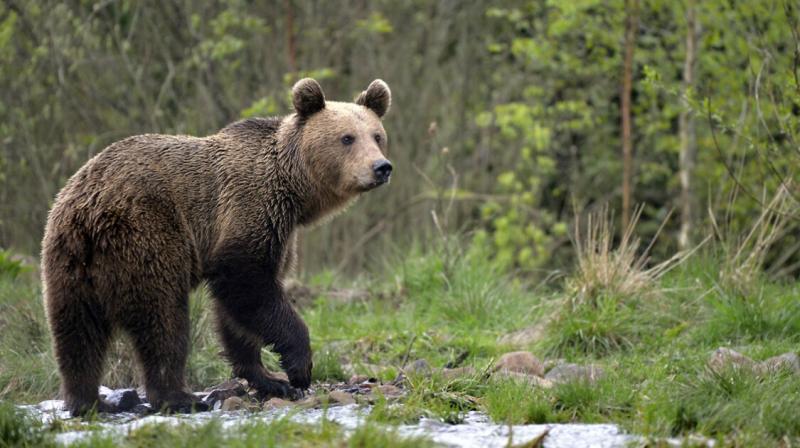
x: 631, y: 23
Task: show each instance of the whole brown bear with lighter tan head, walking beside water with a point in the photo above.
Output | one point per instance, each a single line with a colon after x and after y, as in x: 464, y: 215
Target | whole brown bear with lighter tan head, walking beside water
x: 150, y: 217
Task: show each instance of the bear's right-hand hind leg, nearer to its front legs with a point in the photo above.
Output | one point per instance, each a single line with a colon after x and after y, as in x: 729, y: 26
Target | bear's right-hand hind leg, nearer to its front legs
x: 160, y: 336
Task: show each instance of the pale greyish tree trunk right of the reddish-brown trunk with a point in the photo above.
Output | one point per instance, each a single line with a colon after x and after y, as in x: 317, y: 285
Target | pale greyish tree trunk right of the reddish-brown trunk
x: 688, y: 154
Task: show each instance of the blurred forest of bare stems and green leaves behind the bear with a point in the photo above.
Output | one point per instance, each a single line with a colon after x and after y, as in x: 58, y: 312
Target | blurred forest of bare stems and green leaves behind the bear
x: 508, y: 117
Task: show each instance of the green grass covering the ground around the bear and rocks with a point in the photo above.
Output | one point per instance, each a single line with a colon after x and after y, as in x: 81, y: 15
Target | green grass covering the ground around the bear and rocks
x: 653, y: 344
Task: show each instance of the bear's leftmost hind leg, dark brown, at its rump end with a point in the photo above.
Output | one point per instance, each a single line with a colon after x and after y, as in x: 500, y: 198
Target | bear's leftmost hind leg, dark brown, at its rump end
x: 81, y: 335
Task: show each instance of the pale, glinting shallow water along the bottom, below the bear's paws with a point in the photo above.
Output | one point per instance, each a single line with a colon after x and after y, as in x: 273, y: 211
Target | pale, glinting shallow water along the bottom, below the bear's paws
x: 477, y: 430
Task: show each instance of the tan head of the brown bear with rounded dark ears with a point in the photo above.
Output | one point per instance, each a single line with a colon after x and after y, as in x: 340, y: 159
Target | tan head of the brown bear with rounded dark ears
x: 343, y: 145
